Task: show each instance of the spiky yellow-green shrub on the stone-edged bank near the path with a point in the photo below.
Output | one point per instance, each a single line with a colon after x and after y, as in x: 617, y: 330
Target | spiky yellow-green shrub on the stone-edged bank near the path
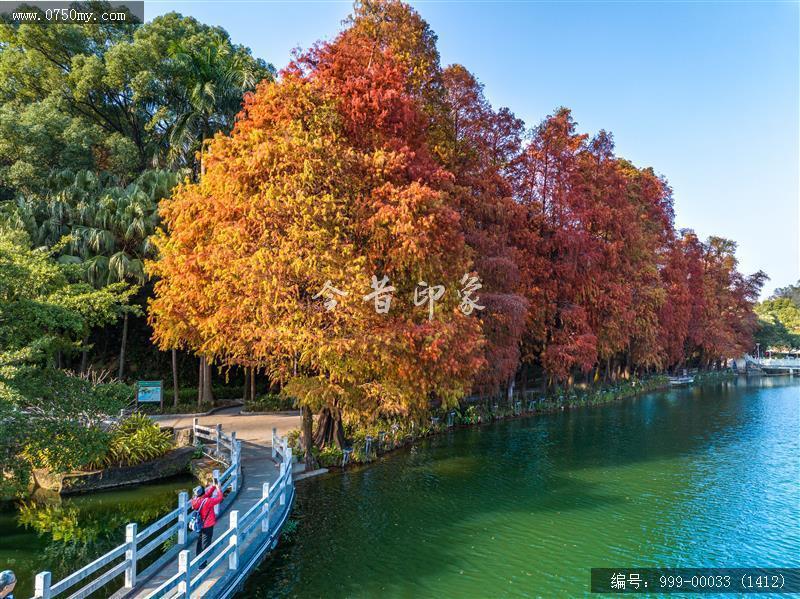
x: 135, y: 440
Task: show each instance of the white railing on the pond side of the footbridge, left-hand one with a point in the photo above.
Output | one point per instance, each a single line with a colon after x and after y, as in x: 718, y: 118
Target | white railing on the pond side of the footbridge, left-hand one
x: 125, y: 558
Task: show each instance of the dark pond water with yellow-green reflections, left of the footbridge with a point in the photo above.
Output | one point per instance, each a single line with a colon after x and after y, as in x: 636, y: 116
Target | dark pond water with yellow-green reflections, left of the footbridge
x: 60, y: 535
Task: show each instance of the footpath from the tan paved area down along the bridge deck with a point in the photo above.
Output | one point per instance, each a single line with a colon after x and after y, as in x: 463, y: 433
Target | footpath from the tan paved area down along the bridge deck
x: 258, y: 467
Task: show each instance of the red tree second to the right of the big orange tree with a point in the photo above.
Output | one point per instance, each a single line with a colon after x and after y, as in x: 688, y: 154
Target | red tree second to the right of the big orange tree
x: 558, y: 253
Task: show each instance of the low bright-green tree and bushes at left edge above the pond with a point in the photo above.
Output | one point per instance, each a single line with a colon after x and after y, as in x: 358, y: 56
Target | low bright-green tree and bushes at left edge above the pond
x: 48, y: 418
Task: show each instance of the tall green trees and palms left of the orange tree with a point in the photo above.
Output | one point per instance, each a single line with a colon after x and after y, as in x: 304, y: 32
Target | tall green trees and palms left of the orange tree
x: 97, y: 124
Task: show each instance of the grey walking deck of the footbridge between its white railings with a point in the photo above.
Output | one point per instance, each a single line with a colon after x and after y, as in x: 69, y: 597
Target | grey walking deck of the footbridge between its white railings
x: 257, y: 468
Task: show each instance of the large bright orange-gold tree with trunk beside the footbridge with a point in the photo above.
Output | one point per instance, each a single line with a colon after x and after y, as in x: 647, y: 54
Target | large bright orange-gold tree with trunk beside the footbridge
x: 325, y: 178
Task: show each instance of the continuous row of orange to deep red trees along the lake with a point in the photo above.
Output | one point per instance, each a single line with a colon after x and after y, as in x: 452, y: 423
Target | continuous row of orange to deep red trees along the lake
x: 368, y: 161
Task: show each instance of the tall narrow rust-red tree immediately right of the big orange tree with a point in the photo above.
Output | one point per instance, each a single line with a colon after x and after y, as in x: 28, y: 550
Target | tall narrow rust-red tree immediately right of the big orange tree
x: 479, y: 146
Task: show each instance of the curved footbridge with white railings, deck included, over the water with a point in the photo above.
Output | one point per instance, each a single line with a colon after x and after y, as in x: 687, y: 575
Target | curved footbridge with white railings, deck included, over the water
x: 260, y: 491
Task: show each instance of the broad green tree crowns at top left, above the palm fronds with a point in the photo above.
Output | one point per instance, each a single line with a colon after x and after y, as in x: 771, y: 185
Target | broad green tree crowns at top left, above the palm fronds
x: 115, y: 99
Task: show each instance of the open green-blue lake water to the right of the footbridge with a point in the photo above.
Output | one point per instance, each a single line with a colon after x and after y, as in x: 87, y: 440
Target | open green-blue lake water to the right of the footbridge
x: 699, y: 477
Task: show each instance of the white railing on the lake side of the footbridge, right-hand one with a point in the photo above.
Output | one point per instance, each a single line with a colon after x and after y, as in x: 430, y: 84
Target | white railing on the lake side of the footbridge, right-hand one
x: 264, y: 519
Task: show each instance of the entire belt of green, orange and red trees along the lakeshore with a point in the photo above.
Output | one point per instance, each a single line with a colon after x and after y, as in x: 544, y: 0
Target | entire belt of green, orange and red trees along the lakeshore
x: 364, y: 158
